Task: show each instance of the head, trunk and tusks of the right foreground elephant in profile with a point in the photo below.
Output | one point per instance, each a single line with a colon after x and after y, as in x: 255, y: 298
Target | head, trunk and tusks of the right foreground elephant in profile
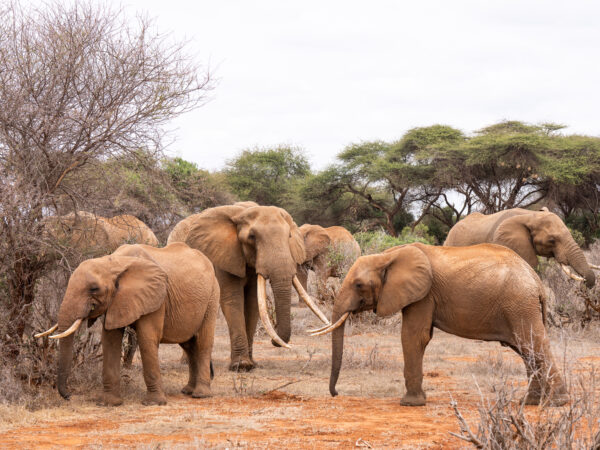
x: 384, y: 283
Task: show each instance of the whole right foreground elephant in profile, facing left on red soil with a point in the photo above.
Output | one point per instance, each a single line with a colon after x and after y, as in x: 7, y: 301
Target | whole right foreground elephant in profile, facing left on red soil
x: 483, y: 291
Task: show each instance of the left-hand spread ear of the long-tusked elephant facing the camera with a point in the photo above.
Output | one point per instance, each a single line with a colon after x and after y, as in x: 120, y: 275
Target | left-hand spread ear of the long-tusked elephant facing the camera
x: 215, y: 234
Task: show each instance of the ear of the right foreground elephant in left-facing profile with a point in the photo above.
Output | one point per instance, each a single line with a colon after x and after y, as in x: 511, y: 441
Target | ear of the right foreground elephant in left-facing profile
x: 407, y: 279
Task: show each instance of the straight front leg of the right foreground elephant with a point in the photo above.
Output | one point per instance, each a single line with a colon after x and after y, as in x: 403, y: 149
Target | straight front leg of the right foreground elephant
x: 416, y: 334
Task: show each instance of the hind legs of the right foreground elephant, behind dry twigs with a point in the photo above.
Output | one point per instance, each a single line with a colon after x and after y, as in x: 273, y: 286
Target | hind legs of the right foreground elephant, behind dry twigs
x: 546, y: 383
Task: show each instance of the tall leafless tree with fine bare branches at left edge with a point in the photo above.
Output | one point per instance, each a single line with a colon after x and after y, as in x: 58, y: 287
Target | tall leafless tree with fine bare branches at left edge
x: 78, y: 83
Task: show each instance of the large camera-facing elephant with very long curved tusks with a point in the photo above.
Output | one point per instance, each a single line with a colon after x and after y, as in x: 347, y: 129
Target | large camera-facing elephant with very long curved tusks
x: 249, y: 244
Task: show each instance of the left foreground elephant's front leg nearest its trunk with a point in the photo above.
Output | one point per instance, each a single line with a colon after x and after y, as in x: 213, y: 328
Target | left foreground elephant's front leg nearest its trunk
x: 111, y: 367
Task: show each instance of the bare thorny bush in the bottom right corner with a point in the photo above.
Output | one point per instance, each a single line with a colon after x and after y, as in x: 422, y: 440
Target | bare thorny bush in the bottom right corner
x: 506, y: 423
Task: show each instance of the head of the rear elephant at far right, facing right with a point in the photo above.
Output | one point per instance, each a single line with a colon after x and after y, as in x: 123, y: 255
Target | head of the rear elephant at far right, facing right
x: 543, y: 233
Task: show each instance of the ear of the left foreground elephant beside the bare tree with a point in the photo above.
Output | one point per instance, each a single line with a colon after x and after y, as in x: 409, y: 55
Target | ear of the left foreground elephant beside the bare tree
x: 140, y: 289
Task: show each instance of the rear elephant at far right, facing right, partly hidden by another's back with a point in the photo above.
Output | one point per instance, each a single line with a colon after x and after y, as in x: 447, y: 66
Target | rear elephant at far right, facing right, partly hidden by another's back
x: 529, y: 233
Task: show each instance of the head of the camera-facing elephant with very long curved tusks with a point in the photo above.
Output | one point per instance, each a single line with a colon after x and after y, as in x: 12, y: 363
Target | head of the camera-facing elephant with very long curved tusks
x: 264, y: 238
